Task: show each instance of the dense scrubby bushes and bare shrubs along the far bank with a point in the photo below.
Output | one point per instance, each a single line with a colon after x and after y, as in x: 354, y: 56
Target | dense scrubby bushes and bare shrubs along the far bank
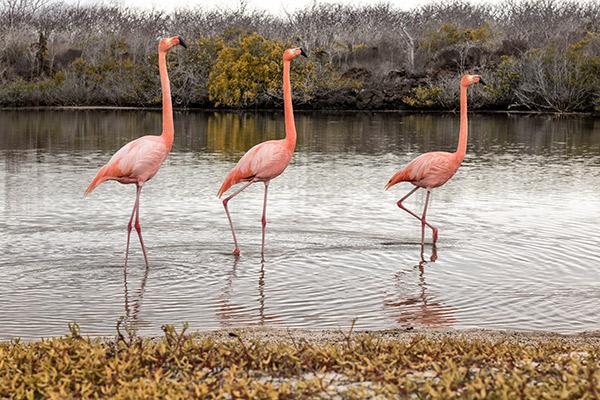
x: 535, y: 55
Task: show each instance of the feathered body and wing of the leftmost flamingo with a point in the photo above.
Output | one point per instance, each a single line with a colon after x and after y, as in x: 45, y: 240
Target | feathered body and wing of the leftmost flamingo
x: 136, y: 161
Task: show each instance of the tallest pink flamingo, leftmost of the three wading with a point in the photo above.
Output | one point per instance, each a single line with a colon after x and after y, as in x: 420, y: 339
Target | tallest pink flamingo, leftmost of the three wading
x: 139, y: 160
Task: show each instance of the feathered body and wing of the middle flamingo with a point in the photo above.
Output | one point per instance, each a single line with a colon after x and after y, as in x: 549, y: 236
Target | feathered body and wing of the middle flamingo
x: 264, y: 161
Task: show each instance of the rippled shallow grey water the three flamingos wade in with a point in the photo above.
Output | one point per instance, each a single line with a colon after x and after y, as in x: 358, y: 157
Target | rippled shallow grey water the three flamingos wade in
x: 518, y: 246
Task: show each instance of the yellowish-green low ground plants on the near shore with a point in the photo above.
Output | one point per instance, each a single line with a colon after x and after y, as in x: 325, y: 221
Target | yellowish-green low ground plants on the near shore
x: 247, y: 364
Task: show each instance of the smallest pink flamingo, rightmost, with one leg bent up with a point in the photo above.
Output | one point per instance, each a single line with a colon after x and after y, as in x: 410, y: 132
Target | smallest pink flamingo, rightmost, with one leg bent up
x: 431, y: 170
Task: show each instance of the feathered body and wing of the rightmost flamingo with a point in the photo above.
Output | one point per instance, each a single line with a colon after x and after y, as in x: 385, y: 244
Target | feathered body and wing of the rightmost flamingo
x: 427, y: 170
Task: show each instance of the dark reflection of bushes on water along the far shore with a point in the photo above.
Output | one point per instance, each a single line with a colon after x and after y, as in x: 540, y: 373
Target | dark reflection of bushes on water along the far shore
x: 231, y: 134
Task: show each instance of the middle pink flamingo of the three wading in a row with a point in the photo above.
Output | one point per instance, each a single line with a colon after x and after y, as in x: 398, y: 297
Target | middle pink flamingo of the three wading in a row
x: 266, y: 160
